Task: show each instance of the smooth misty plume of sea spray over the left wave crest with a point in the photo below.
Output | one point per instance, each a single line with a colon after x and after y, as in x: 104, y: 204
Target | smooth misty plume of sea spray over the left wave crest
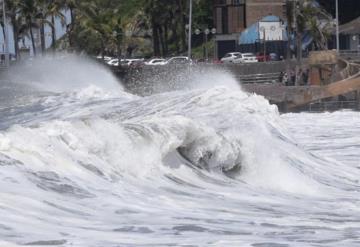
x: 64, y: 73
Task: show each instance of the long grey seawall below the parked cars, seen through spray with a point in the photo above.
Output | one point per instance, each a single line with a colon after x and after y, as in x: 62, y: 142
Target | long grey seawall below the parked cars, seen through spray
x: 146, y: 80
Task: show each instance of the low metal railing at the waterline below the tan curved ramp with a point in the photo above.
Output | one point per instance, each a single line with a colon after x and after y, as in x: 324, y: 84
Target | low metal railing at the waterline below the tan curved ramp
x: 334, y: 106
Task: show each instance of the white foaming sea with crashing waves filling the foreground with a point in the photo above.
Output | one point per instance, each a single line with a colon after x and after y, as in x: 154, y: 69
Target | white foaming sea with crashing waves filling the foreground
x: 84, y: 162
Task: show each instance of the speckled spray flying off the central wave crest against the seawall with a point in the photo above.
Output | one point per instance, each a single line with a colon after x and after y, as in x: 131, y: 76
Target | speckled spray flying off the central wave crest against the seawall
x: 150, y: 80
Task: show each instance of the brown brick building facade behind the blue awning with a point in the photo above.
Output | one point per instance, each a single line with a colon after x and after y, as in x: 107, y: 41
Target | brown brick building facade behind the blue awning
x: 231, y: 17
